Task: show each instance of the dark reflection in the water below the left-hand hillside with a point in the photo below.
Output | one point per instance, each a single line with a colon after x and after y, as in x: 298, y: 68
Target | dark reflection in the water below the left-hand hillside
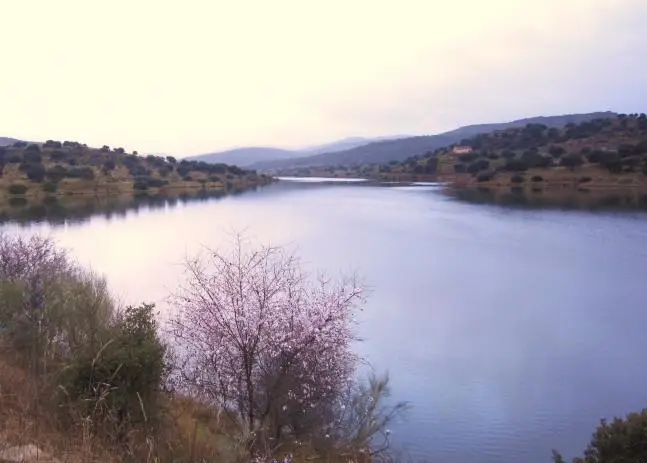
x: 78, y: 209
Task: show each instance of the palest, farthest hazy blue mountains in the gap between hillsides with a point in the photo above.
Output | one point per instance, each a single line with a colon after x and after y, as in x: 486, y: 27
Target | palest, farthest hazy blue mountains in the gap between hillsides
x: 245, y: 157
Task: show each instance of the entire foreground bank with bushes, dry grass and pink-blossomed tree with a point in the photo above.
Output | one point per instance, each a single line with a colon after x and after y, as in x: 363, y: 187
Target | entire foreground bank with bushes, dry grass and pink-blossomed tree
x: 255, y: 364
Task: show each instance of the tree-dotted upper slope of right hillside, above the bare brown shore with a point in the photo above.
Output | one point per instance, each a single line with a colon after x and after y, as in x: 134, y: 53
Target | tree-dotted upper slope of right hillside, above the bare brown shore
x: 618, y: 145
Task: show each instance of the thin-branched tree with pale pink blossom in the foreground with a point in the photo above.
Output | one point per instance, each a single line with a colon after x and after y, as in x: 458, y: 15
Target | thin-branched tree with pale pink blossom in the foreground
x: 261, y: 340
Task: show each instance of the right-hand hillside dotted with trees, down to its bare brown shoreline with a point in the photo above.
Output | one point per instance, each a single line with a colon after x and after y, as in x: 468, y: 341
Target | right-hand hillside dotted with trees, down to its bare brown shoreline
x: 600, y: 153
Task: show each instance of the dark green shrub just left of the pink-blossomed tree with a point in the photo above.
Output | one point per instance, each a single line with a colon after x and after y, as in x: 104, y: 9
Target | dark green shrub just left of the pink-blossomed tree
x: 121, y: 377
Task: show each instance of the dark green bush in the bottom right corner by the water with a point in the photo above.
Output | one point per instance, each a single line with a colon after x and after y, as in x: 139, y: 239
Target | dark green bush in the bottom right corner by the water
x: 624, y: 440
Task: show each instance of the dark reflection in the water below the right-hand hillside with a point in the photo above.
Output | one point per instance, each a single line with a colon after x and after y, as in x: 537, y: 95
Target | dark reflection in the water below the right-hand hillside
x: 582, y: 198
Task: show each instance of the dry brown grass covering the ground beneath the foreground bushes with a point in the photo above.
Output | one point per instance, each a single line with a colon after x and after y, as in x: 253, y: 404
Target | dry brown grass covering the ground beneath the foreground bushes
x: 188, y: 431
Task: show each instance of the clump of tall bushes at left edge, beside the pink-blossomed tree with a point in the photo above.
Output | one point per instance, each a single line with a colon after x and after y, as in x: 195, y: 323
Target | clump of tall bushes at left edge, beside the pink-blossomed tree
x: 61, y: 322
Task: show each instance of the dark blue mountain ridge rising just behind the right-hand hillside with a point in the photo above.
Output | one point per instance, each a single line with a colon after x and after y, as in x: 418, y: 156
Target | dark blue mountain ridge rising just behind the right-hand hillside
x: 384, y: 151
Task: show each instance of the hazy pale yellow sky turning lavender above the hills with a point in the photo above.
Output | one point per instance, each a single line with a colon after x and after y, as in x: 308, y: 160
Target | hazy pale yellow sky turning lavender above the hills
x: 186, y: 77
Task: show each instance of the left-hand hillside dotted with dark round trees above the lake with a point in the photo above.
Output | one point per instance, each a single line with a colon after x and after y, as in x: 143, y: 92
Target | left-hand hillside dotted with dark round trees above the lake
x: 58, y: 168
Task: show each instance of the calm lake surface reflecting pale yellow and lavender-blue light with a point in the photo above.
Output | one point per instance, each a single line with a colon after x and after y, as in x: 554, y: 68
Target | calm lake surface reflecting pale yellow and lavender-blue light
x: 510, y: 331
